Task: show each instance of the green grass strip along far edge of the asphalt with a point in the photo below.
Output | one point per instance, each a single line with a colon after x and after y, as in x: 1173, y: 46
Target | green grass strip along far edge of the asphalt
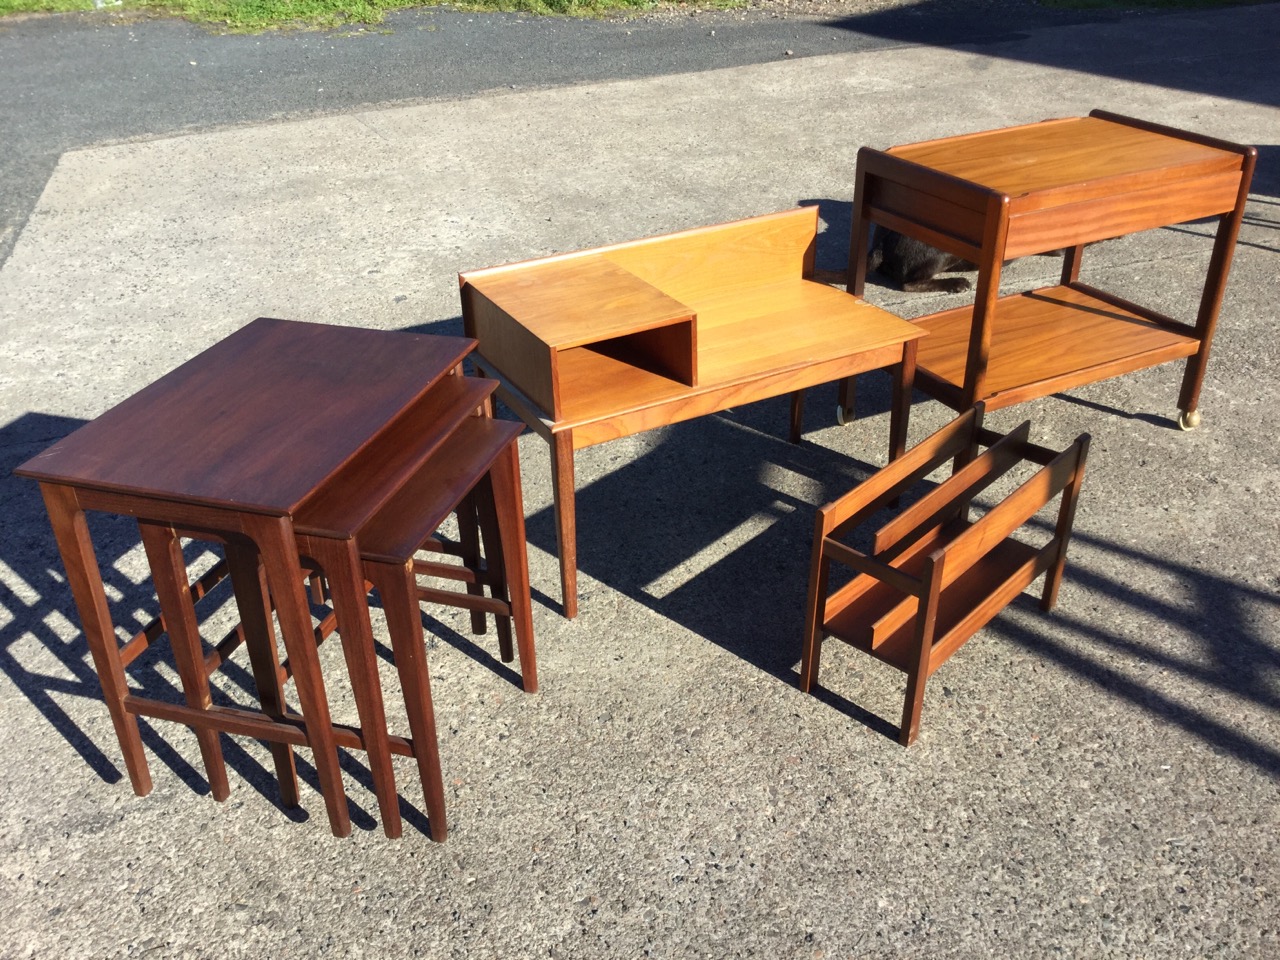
x: 268, y: 15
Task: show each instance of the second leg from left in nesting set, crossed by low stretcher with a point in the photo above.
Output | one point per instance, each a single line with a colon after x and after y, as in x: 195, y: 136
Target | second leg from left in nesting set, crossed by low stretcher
x: 170, y: 575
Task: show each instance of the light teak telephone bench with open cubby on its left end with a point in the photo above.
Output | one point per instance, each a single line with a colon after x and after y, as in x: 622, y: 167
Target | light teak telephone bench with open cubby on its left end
x: 610, y: 342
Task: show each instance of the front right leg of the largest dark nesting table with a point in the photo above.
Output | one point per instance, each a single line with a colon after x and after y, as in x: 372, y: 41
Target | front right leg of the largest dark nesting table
x: 280, y: 554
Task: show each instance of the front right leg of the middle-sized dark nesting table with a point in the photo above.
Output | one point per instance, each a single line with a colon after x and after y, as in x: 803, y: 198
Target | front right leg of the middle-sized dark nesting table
x: 340, y: 560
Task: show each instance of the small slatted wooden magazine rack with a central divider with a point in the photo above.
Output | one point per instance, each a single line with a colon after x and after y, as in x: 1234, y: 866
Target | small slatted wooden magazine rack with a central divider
x: 932, y: 578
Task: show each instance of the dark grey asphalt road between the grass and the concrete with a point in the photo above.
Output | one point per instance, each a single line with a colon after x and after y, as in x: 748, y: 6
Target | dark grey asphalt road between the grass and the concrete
x: 77, y: 81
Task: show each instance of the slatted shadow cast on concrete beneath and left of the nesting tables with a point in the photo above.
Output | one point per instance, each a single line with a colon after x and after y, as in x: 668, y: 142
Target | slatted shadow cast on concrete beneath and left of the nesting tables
x: 47, y: 669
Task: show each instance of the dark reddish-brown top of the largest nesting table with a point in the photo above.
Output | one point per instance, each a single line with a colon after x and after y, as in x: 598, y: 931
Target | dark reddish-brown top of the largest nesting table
x: 280, y: 406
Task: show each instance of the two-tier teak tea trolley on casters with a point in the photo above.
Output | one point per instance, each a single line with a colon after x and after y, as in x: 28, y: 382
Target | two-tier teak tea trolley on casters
x: 999, y: 195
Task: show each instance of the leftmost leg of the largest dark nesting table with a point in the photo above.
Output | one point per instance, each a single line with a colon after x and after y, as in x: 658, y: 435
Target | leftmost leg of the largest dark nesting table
x: 71, y: 532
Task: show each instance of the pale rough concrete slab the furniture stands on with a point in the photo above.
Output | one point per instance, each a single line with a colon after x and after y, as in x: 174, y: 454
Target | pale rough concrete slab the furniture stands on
x: 1095, y: 783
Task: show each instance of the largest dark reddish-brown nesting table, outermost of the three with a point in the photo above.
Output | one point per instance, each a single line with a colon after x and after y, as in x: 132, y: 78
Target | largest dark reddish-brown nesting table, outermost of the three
x: 235, y: 445
